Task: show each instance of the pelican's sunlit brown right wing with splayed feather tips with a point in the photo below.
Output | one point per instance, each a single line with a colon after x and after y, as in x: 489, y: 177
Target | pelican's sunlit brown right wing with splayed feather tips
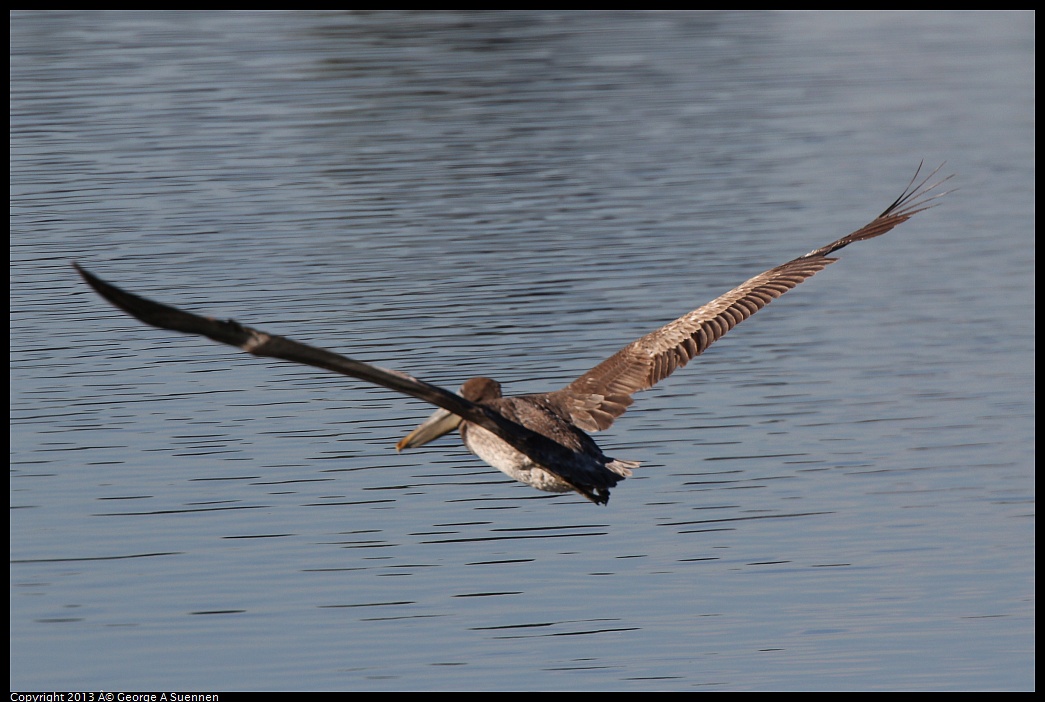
x: 601, y: 395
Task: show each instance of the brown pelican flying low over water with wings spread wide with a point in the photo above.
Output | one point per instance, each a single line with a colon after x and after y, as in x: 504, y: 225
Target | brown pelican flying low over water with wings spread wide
x: 541, y: 440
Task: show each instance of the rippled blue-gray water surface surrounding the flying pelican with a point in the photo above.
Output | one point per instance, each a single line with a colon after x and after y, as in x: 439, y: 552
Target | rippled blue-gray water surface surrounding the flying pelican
x: 840, y: 495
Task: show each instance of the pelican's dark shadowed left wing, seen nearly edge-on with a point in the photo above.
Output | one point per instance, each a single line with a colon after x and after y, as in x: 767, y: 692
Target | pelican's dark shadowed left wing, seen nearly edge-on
x: 545, y: 452
